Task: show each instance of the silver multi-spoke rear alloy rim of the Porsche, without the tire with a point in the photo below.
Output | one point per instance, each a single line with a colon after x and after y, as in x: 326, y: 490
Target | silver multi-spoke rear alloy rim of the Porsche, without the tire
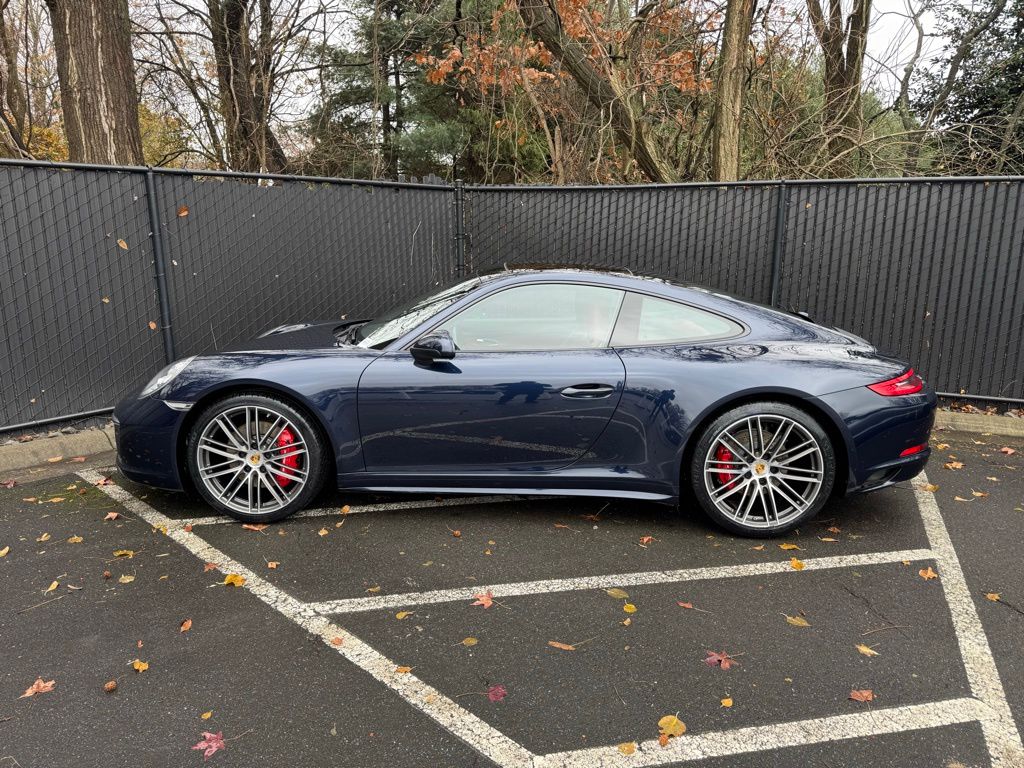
x: 764, y: 471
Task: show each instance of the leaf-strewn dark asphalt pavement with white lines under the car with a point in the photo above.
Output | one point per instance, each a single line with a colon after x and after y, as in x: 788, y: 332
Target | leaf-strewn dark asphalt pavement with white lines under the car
x: 355, y: 639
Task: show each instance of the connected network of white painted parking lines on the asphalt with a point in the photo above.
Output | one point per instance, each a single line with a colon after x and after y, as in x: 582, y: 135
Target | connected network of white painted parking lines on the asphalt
x: 989, y: 707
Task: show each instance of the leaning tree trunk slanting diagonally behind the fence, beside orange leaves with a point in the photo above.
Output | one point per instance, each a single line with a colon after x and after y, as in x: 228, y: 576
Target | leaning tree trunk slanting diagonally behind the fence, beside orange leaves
x: 603, y: 90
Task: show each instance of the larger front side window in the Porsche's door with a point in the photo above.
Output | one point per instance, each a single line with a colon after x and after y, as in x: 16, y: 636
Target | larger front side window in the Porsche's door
x: 538, y: 318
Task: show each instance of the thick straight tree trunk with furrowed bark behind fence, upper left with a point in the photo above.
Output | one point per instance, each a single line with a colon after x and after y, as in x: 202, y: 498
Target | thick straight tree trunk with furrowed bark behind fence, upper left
x: 93, y: 39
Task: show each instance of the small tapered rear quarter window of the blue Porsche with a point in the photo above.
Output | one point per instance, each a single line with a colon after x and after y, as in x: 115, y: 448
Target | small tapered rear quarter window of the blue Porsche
x: 647, y: 320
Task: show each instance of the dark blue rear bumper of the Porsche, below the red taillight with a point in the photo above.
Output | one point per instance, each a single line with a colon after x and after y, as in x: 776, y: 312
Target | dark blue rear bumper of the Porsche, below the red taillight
x: 879, y: 430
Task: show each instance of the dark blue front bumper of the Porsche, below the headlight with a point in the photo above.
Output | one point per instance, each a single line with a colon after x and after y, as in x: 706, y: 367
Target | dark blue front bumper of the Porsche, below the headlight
x: 147, y: 435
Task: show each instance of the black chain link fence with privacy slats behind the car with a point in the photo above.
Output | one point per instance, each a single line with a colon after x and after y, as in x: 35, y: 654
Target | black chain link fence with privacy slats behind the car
x: 94, y: 304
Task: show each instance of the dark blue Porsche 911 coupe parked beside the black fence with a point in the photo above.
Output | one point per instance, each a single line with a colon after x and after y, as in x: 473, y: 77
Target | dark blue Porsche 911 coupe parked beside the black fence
x: 540, y: 381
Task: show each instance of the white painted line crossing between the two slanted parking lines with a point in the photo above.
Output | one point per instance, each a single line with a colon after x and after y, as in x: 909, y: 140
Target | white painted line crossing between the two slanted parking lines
x: 351, y: 606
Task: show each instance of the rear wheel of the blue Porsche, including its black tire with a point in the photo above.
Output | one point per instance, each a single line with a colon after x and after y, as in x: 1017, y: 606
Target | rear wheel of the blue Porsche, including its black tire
x: 747, y: 493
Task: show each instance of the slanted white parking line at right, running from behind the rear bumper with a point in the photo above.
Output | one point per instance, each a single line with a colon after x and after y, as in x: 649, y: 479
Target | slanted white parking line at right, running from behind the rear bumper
x: 1001, y: 733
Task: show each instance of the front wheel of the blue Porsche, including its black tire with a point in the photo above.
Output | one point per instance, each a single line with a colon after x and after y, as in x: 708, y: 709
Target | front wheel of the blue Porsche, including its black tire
x: 255, y: 458
